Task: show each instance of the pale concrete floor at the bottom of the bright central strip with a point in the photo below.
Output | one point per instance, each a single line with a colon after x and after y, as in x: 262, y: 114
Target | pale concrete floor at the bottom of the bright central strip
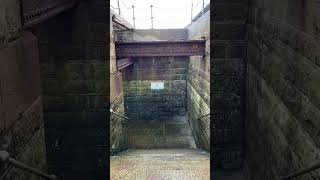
x: 161, y: 164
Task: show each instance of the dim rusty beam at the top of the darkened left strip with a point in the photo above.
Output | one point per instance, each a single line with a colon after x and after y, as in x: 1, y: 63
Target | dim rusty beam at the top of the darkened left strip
x: 36, y: 11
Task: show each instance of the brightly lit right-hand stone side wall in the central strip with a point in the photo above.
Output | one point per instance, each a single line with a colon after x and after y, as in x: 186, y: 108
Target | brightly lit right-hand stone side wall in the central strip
x: 198, y: 84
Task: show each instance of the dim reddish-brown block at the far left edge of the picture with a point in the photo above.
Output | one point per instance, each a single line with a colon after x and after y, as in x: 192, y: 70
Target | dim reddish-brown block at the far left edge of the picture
x: 20, y: 79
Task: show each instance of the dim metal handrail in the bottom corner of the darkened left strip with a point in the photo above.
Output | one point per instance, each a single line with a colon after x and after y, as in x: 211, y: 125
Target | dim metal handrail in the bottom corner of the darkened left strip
x: 5, y: 158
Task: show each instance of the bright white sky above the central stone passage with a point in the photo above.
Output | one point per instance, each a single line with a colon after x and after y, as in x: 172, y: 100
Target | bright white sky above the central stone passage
x: 167, y: 14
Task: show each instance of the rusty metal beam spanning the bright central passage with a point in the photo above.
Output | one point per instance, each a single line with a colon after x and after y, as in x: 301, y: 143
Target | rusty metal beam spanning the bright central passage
x: 160, y: 48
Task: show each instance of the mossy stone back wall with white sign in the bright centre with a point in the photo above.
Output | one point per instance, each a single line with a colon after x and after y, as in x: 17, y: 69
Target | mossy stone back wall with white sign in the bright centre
x: 157, y: 116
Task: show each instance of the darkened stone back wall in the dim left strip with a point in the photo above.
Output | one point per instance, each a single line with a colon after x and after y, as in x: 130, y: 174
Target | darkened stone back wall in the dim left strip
x: 74, y: 77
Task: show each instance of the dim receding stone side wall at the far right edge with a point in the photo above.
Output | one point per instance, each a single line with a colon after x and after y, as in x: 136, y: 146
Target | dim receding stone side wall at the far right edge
x: 283, y: 87
